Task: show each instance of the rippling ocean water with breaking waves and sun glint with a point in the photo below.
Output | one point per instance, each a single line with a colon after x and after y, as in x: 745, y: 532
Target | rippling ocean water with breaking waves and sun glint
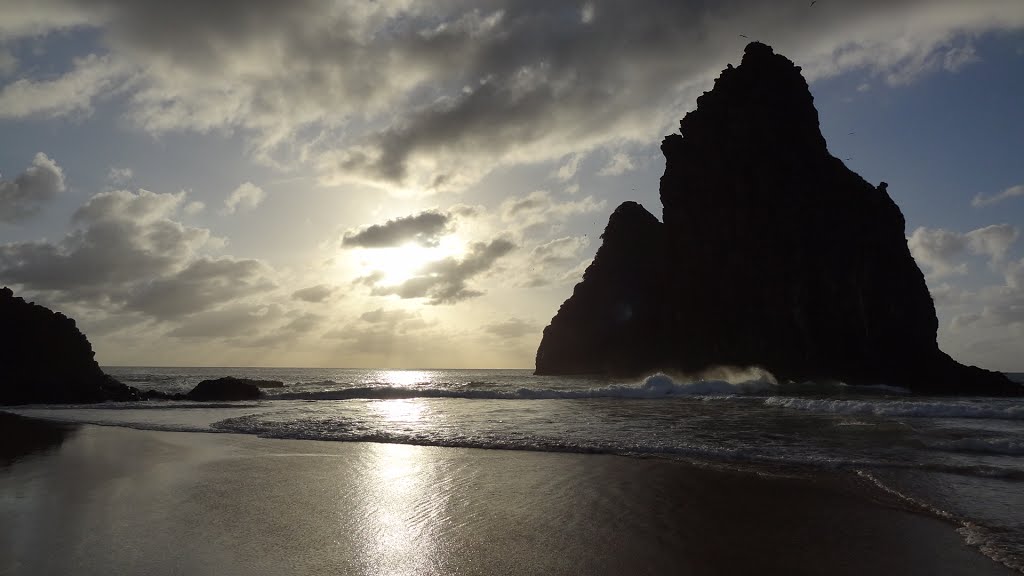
x: 961, y: 460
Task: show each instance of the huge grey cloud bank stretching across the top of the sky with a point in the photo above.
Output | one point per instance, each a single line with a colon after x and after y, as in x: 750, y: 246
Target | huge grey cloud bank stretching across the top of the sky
x: 422, y: 96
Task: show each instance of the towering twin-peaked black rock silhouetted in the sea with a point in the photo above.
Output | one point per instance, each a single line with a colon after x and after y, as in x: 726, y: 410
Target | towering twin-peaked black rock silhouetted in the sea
x: 773, y: 254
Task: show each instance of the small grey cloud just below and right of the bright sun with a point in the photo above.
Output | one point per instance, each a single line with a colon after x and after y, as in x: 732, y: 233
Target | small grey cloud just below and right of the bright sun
x: 446, y: 281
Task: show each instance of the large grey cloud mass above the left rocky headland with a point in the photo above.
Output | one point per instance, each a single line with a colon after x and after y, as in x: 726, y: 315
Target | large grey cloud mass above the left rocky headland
x: 125, y: 254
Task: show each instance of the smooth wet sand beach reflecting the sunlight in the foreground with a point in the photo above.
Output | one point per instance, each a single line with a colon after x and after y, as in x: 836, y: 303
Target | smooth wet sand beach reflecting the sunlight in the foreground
x: 109, y: 501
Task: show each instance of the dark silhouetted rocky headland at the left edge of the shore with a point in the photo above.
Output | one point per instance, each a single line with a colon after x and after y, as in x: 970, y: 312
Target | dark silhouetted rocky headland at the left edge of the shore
x: 46, y: 359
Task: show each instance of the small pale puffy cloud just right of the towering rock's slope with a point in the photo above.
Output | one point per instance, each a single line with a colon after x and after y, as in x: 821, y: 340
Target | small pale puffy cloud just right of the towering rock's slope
x: 941, y: 250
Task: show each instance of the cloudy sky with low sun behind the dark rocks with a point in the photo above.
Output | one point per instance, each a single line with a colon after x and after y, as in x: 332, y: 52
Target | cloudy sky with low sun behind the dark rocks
x: 420, y: 185
